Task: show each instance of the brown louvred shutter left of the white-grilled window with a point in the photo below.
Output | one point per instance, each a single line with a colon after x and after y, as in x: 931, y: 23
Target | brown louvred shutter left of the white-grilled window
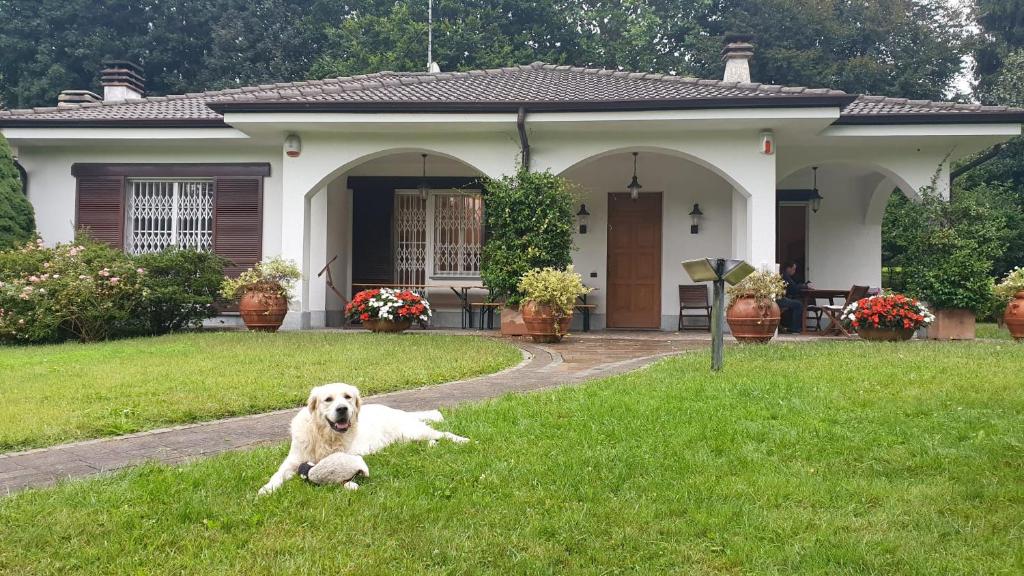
x: 100, y: 209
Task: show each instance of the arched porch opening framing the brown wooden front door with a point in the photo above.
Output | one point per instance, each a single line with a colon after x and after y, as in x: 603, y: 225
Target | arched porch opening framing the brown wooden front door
x: 632, y: 251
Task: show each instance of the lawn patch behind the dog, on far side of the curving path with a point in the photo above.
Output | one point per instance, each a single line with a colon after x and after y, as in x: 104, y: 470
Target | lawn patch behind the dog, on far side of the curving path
x: 61, y: 393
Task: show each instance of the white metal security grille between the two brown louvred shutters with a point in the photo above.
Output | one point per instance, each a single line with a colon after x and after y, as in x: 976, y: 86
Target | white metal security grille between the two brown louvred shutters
x: 164, y: 213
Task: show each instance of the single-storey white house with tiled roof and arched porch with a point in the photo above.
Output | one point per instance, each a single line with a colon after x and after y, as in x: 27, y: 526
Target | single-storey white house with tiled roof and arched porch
x: 316, y: 170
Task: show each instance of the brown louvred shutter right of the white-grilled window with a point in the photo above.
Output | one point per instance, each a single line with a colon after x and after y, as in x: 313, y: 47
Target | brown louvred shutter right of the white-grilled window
x: 238, y: 227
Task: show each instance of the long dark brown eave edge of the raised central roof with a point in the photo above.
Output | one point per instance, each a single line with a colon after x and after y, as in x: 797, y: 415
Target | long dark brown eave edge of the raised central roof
x: 797, y: 101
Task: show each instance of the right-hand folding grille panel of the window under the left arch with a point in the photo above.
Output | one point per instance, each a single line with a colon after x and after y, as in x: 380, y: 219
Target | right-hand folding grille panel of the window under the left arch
x: 458, y: 234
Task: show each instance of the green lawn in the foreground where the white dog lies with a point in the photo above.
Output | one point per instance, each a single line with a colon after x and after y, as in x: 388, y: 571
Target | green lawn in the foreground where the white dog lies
x: 823, y: 459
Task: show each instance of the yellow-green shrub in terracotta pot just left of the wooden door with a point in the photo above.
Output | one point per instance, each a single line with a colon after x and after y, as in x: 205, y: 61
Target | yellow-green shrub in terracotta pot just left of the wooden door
x: 549, y: 297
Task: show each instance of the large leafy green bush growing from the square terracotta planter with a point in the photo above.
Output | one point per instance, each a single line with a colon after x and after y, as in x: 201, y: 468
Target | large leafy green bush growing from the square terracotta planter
x: 948, y: 250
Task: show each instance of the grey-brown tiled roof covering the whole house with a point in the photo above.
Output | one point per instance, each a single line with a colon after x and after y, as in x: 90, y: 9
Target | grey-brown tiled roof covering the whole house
x: 538, y: 87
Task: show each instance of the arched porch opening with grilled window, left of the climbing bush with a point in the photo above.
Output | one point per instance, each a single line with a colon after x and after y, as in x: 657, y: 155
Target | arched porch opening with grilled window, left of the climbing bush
x: 407, y: 219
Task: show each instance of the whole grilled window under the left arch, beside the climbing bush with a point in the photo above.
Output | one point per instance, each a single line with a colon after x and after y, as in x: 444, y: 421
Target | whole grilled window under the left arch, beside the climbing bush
x: 446, y: 231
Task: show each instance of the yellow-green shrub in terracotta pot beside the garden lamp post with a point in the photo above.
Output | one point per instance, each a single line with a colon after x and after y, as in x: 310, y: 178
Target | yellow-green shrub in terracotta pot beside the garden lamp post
x: 753, y: 313
